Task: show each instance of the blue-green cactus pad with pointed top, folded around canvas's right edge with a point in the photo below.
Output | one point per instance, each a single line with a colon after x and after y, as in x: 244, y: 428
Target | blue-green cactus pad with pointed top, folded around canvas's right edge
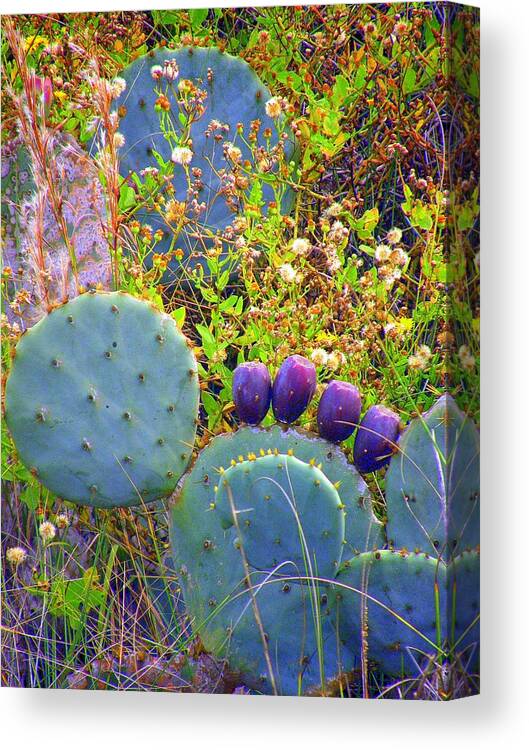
x: 432, y: 487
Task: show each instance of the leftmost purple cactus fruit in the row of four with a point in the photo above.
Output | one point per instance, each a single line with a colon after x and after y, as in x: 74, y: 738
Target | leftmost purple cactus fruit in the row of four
x: 252, y: 391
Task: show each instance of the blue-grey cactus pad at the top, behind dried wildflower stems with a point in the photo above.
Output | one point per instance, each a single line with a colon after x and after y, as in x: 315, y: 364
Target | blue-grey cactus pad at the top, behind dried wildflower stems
x: 234, y: 95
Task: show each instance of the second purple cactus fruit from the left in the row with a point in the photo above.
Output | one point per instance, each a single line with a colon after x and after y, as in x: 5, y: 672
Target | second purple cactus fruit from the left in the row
x: 294, y: 387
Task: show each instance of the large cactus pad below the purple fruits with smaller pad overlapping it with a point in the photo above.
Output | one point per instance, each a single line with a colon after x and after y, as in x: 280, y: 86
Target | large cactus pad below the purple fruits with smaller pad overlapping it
x: 335, y: 514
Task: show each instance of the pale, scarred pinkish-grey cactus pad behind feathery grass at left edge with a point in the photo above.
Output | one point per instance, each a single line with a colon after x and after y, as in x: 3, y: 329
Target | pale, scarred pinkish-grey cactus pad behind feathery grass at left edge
x: 27, y: 217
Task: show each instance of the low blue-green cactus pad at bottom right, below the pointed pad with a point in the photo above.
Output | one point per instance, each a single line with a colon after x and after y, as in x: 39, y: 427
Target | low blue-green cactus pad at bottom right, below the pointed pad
x: 399, y: 601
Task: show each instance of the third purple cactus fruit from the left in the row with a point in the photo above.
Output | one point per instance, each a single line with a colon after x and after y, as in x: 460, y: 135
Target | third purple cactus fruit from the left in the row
x: 339, y: 411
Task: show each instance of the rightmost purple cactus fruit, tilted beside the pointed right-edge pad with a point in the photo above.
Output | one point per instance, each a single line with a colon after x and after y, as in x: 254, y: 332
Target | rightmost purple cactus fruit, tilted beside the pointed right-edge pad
x: 375, y: 440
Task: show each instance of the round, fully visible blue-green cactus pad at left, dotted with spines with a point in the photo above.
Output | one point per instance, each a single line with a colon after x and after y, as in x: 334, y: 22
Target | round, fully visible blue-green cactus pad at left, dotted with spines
x: 102, y: 400
